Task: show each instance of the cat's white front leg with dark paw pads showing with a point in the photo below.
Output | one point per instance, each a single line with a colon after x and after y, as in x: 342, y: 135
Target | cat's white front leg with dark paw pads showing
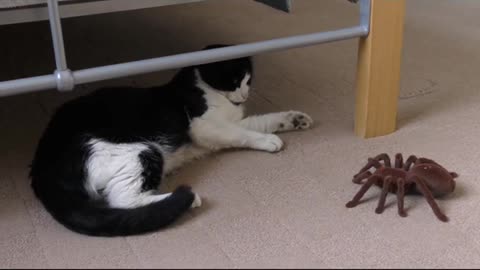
x: 277, y: 122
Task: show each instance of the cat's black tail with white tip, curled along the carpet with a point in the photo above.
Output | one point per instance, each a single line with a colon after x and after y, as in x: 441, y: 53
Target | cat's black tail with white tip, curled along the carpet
x: 95, y: 220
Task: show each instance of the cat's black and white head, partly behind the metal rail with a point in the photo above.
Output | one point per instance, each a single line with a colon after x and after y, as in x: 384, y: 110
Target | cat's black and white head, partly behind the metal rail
x: 232, y: 78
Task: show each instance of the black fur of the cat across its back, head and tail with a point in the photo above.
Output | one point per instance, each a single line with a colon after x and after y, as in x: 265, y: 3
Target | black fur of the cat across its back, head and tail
x: 122, y: 115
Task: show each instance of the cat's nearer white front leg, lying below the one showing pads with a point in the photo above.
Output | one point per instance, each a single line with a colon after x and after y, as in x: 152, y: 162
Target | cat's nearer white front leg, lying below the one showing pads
x: 217, y: 134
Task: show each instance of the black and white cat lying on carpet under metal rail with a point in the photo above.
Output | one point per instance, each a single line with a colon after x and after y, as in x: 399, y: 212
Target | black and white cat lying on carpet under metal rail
x: 102, y: 156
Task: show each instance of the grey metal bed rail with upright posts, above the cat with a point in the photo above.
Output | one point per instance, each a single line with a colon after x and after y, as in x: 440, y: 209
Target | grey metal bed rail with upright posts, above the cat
x: 64, y: 79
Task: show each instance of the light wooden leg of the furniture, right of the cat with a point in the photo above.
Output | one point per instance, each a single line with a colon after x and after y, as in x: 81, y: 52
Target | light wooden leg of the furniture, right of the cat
x: 378, y: 70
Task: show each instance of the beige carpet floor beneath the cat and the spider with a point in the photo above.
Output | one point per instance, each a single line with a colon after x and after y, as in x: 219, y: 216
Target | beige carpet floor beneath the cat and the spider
x: 267, y: 210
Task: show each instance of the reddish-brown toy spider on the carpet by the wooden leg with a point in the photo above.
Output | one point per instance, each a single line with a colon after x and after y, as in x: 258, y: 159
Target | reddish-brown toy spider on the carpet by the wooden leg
x: 417, y: 175
